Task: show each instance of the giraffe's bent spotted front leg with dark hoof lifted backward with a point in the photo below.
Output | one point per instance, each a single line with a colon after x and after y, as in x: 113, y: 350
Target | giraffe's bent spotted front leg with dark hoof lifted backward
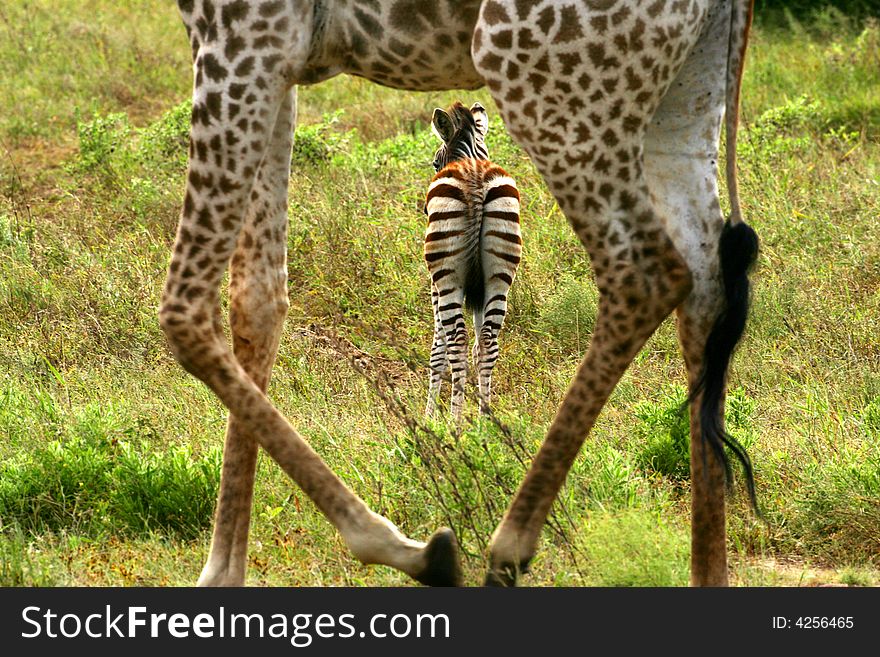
x: 225, y: 157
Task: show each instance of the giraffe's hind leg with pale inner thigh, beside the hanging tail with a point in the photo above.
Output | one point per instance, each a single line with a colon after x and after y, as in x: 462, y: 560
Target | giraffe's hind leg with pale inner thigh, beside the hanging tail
x: 681, y: 155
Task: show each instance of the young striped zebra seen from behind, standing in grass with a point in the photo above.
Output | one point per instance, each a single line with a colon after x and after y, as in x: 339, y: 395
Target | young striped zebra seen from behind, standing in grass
x: 473, y: 246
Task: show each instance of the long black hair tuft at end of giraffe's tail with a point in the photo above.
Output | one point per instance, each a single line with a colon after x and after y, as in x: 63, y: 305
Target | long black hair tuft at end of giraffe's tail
x: 738, y: 250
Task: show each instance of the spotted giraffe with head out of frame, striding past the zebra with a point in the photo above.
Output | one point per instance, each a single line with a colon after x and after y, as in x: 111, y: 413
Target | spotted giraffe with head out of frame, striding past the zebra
x: 618, y: 103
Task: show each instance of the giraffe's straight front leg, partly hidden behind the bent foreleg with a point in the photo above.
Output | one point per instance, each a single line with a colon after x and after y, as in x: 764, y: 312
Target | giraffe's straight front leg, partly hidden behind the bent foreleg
x: 258, y: 306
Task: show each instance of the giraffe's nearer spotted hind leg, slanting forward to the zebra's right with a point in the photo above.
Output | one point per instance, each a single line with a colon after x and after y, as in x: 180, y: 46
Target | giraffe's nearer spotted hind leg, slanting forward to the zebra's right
x: 579, y: 98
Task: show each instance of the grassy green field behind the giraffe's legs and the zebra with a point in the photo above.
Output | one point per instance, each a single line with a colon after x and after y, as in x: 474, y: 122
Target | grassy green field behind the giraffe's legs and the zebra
x: 110, y: 452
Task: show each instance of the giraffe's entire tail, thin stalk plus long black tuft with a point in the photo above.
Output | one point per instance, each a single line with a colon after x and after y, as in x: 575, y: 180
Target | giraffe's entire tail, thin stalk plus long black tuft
x: 737, y: 251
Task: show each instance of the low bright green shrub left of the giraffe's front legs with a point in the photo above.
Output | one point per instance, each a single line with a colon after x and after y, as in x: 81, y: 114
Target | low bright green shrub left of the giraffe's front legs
x: 93, y: 482
